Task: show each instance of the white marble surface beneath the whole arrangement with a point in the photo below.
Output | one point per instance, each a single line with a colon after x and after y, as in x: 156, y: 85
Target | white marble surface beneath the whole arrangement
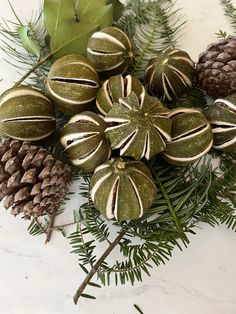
x: 39, y: 279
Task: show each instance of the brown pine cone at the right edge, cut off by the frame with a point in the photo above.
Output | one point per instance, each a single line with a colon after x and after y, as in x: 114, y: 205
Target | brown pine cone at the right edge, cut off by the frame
x: 216, y: 68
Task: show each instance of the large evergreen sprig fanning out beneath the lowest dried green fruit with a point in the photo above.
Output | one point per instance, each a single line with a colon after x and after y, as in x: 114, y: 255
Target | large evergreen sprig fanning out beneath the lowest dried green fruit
x: 155, y: 235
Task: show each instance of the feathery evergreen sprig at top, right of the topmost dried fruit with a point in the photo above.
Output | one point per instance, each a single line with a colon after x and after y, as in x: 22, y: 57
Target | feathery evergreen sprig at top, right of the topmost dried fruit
x: 154, y: 26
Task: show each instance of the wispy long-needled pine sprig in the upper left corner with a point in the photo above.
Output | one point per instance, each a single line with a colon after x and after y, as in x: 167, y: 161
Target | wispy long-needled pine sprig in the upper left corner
x: 19, y: 57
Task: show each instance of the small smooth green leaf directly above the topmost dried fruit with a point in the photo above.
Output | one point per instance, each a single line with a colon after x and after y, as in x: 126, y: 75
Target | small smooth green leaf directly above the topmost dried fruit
x: 103, y: 16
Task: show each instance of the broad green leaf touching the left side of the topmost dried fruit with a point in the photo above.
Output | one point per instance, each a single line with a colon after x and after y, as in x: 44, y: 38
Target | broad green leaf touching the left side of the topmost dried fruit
x: 63, y: 43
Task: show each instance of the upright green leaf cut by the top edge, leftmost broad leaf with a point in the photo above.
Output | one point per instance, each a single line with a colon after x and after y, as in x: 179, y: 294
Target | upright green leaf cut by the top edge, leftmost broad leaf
x: 56, y: 12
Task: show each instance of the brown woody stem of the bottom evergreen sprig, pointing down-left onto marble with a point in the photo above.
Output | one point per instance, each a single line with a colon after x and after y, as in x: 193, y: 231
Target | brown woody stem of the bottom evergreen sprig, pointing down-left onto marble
x: 95, y: 268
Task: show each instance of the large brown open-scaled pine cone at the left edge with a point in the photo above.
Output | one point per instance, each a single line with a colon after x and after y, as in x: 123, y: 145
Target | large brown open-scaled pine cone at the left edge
x: 32, y: 182
